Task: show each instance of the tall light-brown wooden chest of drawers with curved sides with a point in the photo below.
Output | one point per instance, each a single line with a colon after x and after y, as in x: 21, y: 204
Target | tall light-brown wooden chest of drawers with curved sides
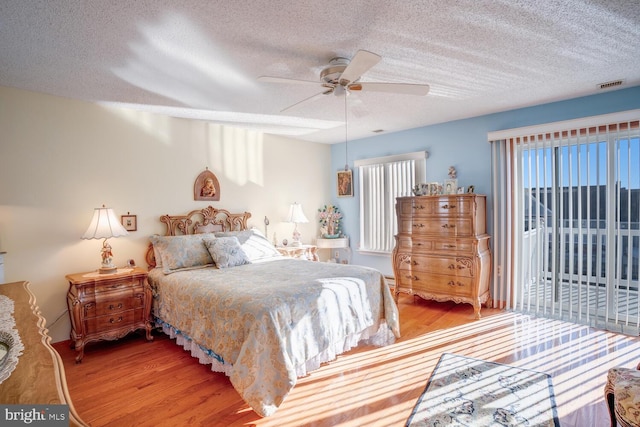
x: 442, y: 248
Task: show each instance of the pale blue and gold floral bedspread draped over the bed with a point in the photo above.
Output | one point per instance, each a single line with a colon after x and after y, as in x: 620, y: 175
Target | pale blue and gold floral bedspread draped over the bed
x: 265, y: 321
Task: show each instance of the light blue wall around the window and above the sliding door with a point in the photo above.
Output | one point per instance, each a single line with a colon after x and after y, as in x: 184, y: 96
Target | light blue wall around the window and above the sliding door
x: 463, y: 144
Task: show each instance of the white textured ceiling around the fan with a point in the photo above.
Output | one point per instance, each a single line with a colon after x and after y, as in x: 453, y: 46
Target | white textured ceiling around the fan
x: 201, y: 59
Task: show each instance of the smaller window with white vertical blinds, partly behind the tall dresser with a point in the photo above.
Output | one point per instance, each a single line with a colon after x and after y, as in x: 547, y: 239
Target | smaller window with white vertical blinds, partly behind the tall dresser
x: 382, y: 180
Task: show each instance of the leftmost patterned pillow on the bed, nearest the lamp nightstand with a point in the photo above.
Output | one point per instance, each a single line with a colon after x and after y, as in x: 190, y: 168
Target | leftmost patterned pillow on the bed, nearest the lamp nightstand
x: 181, y: 252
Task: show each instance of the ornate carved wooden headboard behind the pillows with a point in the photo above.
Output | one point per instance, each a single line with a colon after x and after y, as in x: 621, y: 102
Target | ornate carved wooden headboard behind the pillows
x: 207, y: 220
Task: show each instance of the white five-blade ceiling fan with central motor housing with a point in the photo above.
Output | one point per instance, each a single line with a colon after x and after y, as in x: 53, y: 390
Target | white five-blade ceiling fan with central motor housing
x: 342, y: 76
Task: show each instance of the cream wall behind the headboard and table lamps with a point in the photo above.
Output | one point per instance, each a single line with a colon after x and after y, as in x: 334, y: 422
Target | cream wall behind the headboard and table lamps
x: 61, y: 158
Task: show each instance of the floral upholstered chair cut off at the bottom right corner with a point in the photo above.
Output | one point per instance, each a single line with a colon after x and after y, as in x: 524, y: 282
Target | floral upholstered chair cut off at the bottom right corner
x: 622, y: 393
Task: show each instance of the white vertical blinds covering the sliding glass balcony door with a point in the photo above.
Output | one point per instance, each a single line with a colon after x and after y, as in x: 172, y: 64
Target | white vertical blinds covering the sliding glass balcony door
x: 567, y: 220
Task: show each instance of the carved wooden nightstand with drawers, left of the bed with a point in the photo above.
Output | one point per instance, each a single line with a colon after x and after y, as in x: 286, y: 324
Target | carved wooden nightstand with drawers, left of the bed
x: 108, y: 306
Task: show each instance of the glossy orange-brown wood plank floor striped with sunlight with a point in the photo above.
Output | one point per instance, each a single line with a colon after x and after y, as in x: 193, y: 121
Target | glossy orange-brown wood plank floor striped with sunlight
x: 133, y: 382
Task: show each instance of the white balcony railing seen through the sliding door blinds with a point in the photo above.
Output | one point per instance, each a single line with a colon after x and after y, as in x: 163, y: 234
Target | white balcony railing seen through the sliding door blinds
x: 577, y: 281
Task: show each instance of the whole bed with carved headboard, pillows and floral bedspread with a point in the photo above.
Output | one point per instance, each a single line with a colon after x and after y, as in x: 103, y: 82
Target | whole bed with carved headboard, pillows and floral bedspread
x: 226, y: 294
